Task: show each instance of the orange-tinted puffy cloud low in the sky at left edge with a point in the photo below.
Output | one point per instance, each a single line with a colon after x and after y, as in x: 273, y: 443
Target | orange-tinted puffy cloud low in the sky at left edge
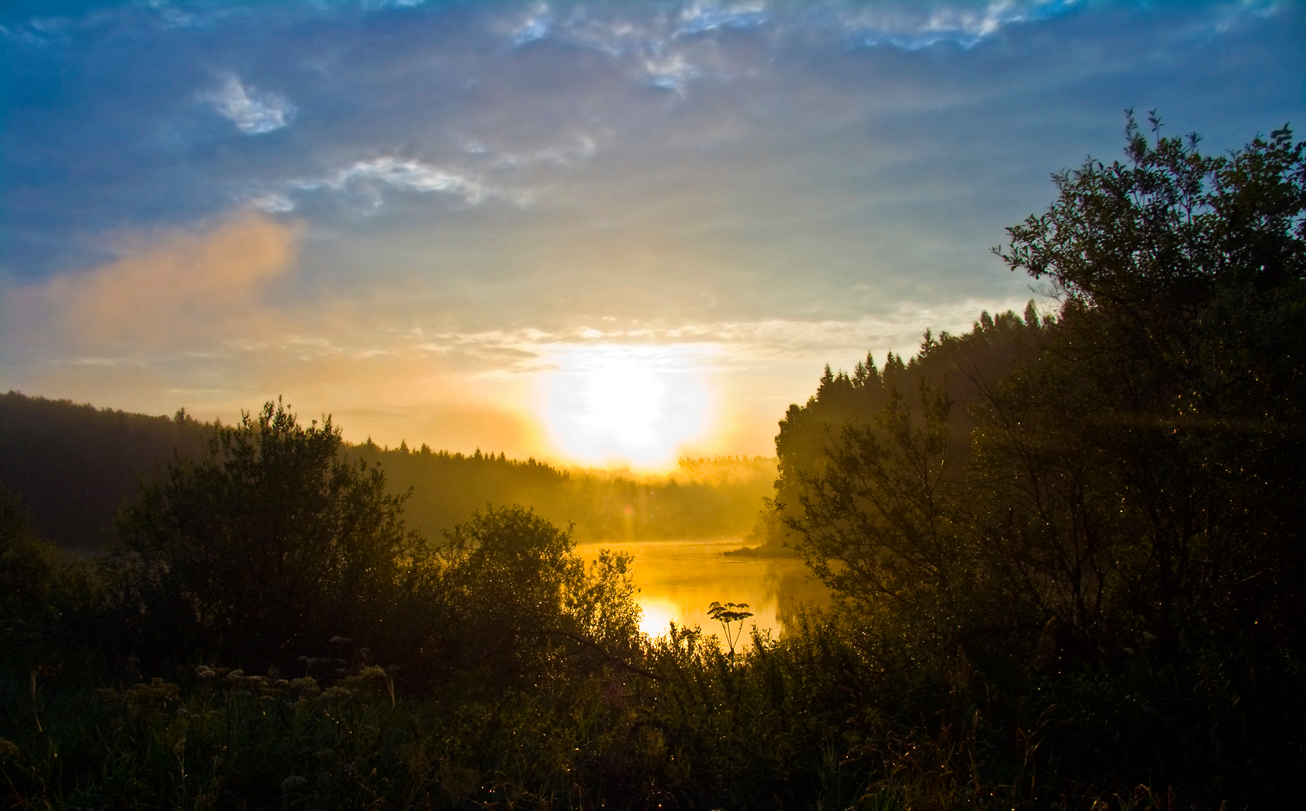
x: 180, y: 289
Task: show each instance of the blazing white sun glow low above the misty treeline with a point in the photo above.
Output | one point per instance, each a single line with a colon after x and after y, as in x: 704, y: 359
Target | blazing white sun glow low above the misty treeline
x: 635, y: 405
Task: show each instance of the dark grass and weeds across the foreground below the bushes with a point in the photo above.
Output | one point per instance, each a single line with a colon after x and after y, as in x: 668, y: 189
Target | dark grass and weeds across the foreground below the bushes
x: 810, y: 722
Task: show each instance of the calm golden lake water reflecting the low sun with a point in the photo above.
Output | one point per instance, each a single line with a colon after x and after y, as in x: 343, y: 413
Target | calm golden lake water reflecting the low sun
x: 678, y: 580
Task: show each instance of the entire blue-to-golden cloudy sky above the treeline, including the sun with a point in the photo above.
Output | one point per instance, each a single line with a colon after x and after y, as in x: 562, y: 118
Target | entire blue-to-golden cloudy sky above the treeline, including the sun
x: 592, y: 233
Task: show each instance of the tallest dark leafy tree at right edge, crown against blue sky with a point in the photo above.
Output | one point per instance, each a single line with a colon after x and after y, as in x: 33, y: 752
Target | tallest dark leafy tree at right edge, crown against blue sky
x: 1164, y: 420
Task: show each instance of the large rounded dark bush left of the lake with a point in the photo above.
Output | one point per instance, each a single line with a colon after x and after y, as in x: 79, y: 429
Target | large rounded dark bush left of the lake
x: 263, y: 550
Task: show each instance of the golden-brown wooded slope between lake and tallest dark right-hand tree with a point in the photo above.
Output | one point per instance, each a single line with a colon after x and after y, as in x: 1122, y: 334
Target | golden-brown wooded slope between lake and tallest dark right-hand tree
x: 876, y: 494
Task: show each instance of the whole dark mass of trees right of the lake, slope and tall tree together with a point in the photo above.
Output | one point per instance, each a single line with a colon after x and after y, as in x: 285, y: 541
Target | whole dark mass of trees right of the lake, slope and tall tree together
x: 1126, y: 471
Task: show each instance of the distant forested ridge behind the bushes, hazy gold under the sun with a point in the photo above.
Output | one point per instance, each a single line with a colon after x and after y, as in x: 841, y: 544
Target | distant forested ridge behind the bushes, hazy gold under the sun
x: 76, y: 466
